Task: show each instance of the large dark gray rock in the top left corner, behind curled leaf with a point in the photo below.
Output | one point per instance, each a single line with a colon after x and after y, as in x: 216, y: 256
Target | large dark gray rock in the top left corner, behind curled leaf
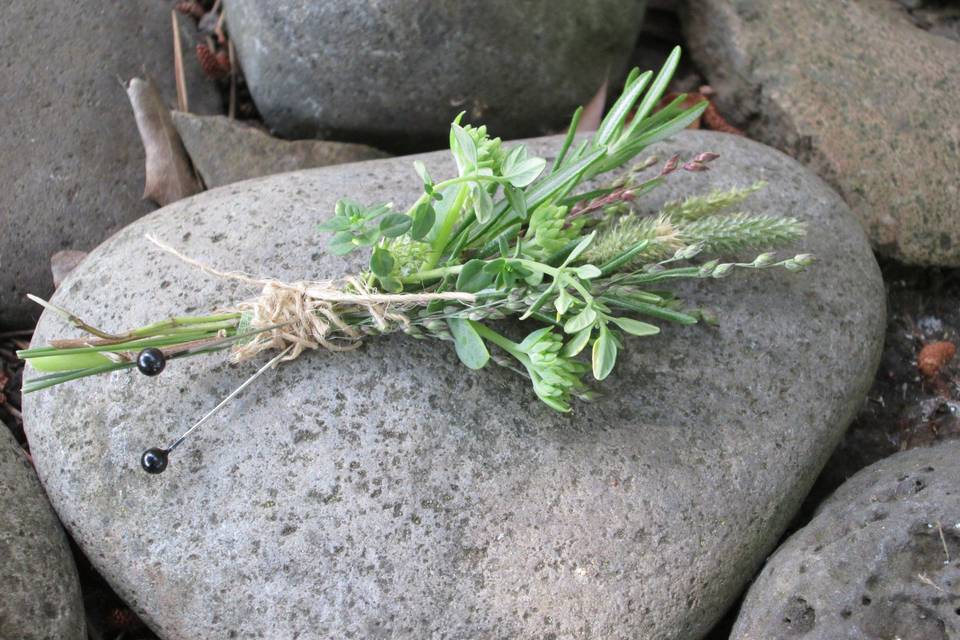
x: 71, y: 161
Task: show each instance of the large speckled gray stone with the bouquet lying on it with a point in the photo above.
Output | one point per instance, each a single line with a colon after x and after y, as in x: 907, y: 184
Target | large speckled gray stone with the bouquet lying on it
x: 392, y: 493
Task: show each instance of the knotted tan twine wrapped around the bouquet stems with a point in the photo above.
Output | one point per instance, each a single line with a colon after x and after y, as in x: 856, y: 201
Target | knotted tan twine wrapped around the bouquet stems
x: 308, y: 314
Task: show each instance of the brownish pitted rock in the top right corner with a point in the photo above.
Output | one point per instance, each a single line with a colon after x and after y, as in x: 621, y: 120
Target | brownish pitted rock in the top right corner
x: 856, y: 91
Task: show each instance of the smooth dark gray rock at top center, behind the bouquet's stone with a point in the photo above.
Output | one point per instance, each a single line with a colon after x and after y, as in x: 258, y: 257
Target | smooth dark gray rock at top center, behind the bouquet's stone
x: 400, y: 71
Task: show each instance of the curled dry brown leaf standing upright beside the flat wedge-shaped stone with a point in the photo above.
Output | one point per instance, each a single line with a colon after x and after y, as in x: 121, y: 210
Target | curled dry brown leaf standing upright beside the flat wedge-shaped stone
x: 169, y: 176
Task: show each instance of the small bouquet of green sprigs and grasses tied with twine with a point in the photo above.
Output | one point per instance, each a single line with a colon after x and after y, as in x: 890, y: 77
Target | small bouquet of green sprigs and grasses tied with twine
x: 507, y: 236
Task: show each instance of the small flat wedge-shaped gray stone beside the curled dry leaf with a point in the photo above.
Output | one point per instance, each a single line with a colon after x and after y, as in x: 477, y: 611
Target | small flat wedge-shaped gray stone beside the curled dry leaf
x: 225, y: 151
